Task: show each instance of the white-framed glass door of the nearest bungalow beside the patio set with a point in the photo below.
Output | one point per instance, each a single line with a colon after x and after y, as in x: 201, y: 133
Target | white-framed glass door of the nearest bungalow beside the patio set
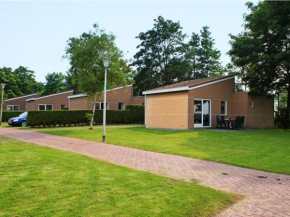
x: 202, y: 113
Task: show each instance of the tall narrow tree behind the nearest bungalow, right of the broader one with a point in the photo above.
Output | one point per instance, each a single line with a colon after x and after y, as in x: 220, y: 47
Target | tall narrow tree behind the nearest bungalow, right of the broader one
x: 208, y: 56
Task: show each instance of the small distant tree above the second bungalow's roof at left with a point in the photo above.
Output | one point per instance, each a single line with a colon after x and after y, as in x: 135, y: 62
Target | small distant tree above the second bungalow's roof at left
x: 55, y: 82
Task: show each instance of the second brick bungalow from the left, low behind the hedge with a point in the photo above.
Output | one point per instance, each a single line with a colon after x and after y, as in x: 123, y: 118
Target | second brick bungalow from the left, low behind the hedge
x: 55, y: 101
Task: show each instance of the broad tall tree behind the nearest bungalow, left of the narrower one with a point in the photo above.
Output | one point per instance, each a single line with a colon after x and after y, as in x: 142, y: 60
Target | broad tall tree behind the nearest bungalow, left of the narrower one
x: 159, y: 50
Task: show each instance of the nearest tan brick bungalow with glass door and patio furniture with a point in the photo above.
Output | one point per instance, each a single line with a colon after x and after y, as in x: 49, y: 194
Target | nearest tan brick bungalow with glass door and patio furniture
x: 196, y: 103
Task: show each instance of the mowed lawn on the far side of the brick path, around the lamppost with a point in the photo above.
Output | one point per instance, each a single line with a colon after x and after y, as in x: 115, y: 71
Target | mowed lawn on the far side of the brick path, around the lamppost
x: 267, y: 150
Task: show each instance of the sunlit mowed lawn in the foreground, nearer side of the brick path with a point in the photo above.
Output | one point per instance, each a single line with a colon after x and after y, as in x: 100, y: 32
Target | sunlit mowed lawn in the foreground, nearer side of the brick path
x: 40, y: 181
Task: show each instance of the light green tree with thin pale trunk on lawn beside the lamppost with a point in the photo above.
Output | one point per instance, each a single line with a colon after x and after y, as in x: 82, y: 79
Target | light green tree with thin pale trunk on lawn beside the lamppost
x: 87, y: 70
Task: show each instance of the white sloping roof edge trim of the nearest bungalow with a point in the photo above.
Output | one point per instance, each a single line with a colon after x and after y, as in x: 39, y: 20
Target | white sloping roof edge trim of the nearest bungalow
x: 184, y: 88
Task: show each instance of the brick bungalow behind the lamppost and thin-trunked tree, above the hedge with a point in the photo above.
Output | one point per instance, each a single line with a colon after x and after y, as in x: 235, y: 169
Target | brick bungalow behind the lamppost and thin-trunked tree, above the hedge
x: 117, y: 99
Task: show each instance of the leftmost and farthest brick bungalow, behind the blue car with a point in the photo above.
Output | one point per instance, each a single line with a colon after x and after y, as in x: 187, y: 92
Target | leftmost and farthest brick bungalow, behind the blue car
x: 17, y: 103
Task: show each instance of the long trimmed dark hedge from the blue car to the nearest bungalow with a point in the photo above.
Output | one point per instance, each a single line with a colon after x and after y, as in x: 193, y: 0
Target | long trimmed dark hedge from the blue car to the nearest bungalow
x: 134, y: 114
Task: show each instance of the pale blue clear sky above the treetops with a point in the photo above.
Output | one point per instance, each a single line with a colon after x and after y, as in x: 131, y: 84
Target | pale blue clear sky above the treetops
x: 34, y: 34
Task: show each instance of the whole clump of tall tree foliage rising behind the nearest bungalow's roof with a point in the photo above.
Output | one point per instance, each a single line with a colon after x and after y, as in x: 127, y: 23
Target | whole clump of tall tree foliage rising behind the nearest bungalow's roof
x: 164, y: 58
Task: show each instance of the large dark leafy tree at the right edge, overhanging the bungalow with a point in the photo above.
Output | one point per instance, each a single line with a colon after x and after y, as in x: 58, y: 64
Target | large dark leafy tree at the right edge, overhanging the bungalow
x: 263, y: 48
